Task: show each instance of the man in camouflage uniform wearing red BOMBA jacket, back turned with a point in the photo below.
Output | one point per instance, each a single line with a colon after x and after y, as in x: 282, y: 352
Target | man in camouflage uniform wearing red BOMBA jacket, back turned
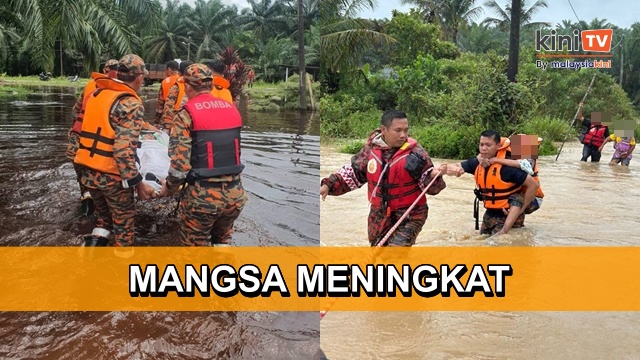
x: 205, y: 153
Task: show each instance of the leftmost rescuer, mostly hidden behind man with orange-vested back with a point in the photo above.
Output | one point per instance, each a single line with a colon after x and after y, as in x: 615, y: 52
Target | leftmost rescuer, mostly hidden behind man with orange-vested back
x: 73, y: 136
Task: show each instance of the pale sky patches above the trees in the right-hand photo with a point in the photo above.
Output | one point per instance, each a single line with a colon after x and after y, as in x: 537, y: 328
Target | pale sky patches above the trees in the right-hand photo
x: 619, y: 12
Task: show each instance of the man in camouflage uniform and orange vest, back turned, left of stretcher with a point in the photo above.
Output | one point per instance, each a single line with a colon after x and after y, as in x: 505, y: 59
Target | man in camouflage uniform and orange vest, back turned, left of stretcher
x: 108, y: 141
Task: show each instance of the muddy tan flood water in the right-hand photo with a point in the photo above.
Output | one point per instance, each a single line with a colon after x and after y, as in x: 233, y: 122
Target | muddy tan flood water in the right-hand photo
x: 585, y: 204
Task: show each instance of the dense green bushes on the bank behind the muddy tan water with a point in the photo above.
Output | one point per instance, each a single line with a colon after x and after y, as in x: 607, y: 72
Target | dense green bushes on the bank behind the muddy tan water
x: 450, y: 102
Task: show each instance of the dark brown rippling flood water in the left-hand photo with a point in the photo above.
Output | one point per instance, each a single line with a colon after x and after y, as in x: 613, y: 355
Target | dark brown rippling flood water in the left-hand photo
x: 39, y: 199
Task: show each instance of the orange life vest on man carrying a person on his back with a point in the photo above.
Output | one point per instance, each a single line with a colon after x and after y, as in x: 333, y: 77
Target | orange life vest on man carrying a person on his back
x: 495, y: 192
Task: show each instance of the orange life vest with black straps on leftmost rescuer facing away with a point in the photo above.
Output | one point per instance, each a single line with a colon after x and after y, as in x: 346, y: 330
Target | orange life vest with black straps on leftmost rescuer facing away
x: 97, y: 136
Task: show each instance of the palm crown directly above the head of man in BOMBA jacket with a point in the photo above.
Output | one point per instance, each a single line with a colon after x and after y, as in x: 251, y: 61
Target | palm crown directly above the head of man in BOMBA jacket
x: 209, y: 27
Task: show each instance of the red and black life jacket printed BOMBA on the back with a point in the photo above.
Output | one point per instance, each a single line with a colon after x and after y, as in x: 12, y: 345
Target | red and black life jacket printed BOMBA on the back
x: 215, y: 137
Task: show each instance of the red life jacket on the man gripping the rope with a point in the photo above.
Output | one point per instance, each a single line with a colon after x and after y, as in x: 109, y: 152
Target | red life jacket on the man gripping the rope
x: 395, y: 189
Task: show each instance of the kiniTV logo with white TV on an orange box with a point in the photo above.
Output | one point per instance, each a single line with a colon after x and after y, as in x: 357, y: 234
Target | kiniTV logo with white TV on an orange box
x: 592, y: 41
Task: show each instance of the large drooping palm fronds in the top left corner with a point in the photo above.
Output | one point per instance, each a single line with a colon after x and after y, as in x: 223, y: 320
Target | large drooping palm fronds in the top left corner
x: 87, y: 26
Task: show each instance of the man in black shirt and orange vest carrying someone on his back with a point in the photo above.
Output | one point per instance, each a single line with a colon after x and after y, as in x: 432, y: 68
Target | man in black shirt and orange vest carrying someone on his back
x: 498, y: 187
